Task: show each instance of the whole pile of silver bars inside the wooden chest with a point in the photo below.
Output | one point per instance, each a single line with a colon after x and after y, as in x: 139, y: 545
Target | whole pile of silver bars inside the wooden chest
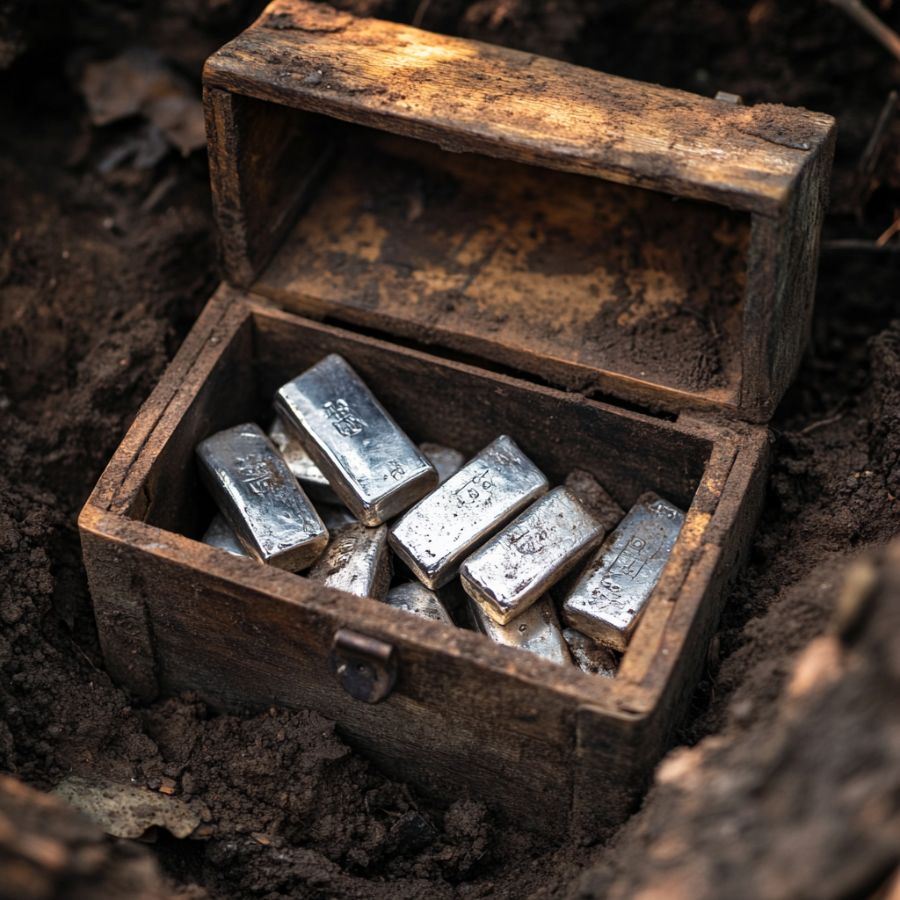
x: 493, y: 521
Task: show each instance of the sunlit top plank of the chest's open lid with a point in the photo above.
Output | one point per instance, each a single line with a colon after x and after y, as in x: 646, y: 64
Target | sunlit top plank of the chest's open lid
x: 468, y: 96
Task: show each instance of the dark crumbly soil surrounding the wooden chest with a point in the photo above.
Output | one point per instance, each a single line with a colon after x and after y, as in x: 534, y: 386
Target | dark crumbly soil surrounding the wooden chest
x: 788, y: 784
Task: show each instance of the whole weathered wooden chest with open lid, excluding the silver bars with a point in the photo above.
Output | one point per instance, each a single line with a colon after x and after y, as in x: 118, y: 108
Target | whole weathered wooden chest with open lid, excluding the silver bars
x: 618, y: 275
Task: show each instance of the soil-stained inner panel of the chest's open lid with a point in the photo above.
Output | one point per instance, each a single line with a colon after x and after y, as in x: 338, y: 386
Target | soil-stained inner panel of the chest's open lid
x: 582, y: 282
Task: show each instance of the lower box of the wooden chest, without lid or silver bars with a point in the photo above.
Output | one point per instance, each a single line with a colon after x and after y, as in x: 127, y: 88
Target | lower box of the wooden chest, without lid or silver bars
x: 466, y: 715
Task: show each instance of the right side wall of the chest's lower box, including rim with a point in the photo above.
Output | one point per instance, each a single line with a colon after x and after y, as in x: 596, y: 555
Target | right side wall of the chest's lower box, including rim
x: 670, y: 647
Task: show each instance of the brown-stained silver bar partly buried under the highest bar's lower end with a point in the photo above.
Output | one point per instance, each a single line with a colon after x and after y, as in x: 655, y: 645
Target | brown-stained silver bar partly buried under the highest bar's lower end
x: 357, y: 560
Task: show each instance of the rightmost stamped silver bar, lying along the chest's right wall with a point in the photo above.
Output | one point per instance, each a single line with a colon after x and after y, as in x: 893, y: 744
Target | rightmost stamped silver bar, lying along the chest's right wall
x: 609, y: 597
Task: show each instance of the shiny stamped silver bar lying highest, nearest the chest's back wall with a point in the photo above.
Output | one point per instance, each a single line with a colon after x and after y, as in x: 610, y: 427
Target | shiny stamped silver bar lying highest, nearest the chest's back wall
x: 370, y: 463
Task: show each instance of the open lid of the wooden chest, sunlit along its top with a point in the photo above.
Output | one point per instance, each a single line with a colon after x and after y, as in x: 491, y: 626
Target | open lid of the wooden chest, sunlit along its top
x: 605, y: 235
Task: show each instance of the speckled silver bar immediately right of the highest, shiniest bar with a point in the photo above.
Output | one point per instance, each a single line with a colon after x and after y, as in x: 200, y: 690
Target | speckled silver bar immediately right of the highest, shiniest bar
x: 441, y: 530
